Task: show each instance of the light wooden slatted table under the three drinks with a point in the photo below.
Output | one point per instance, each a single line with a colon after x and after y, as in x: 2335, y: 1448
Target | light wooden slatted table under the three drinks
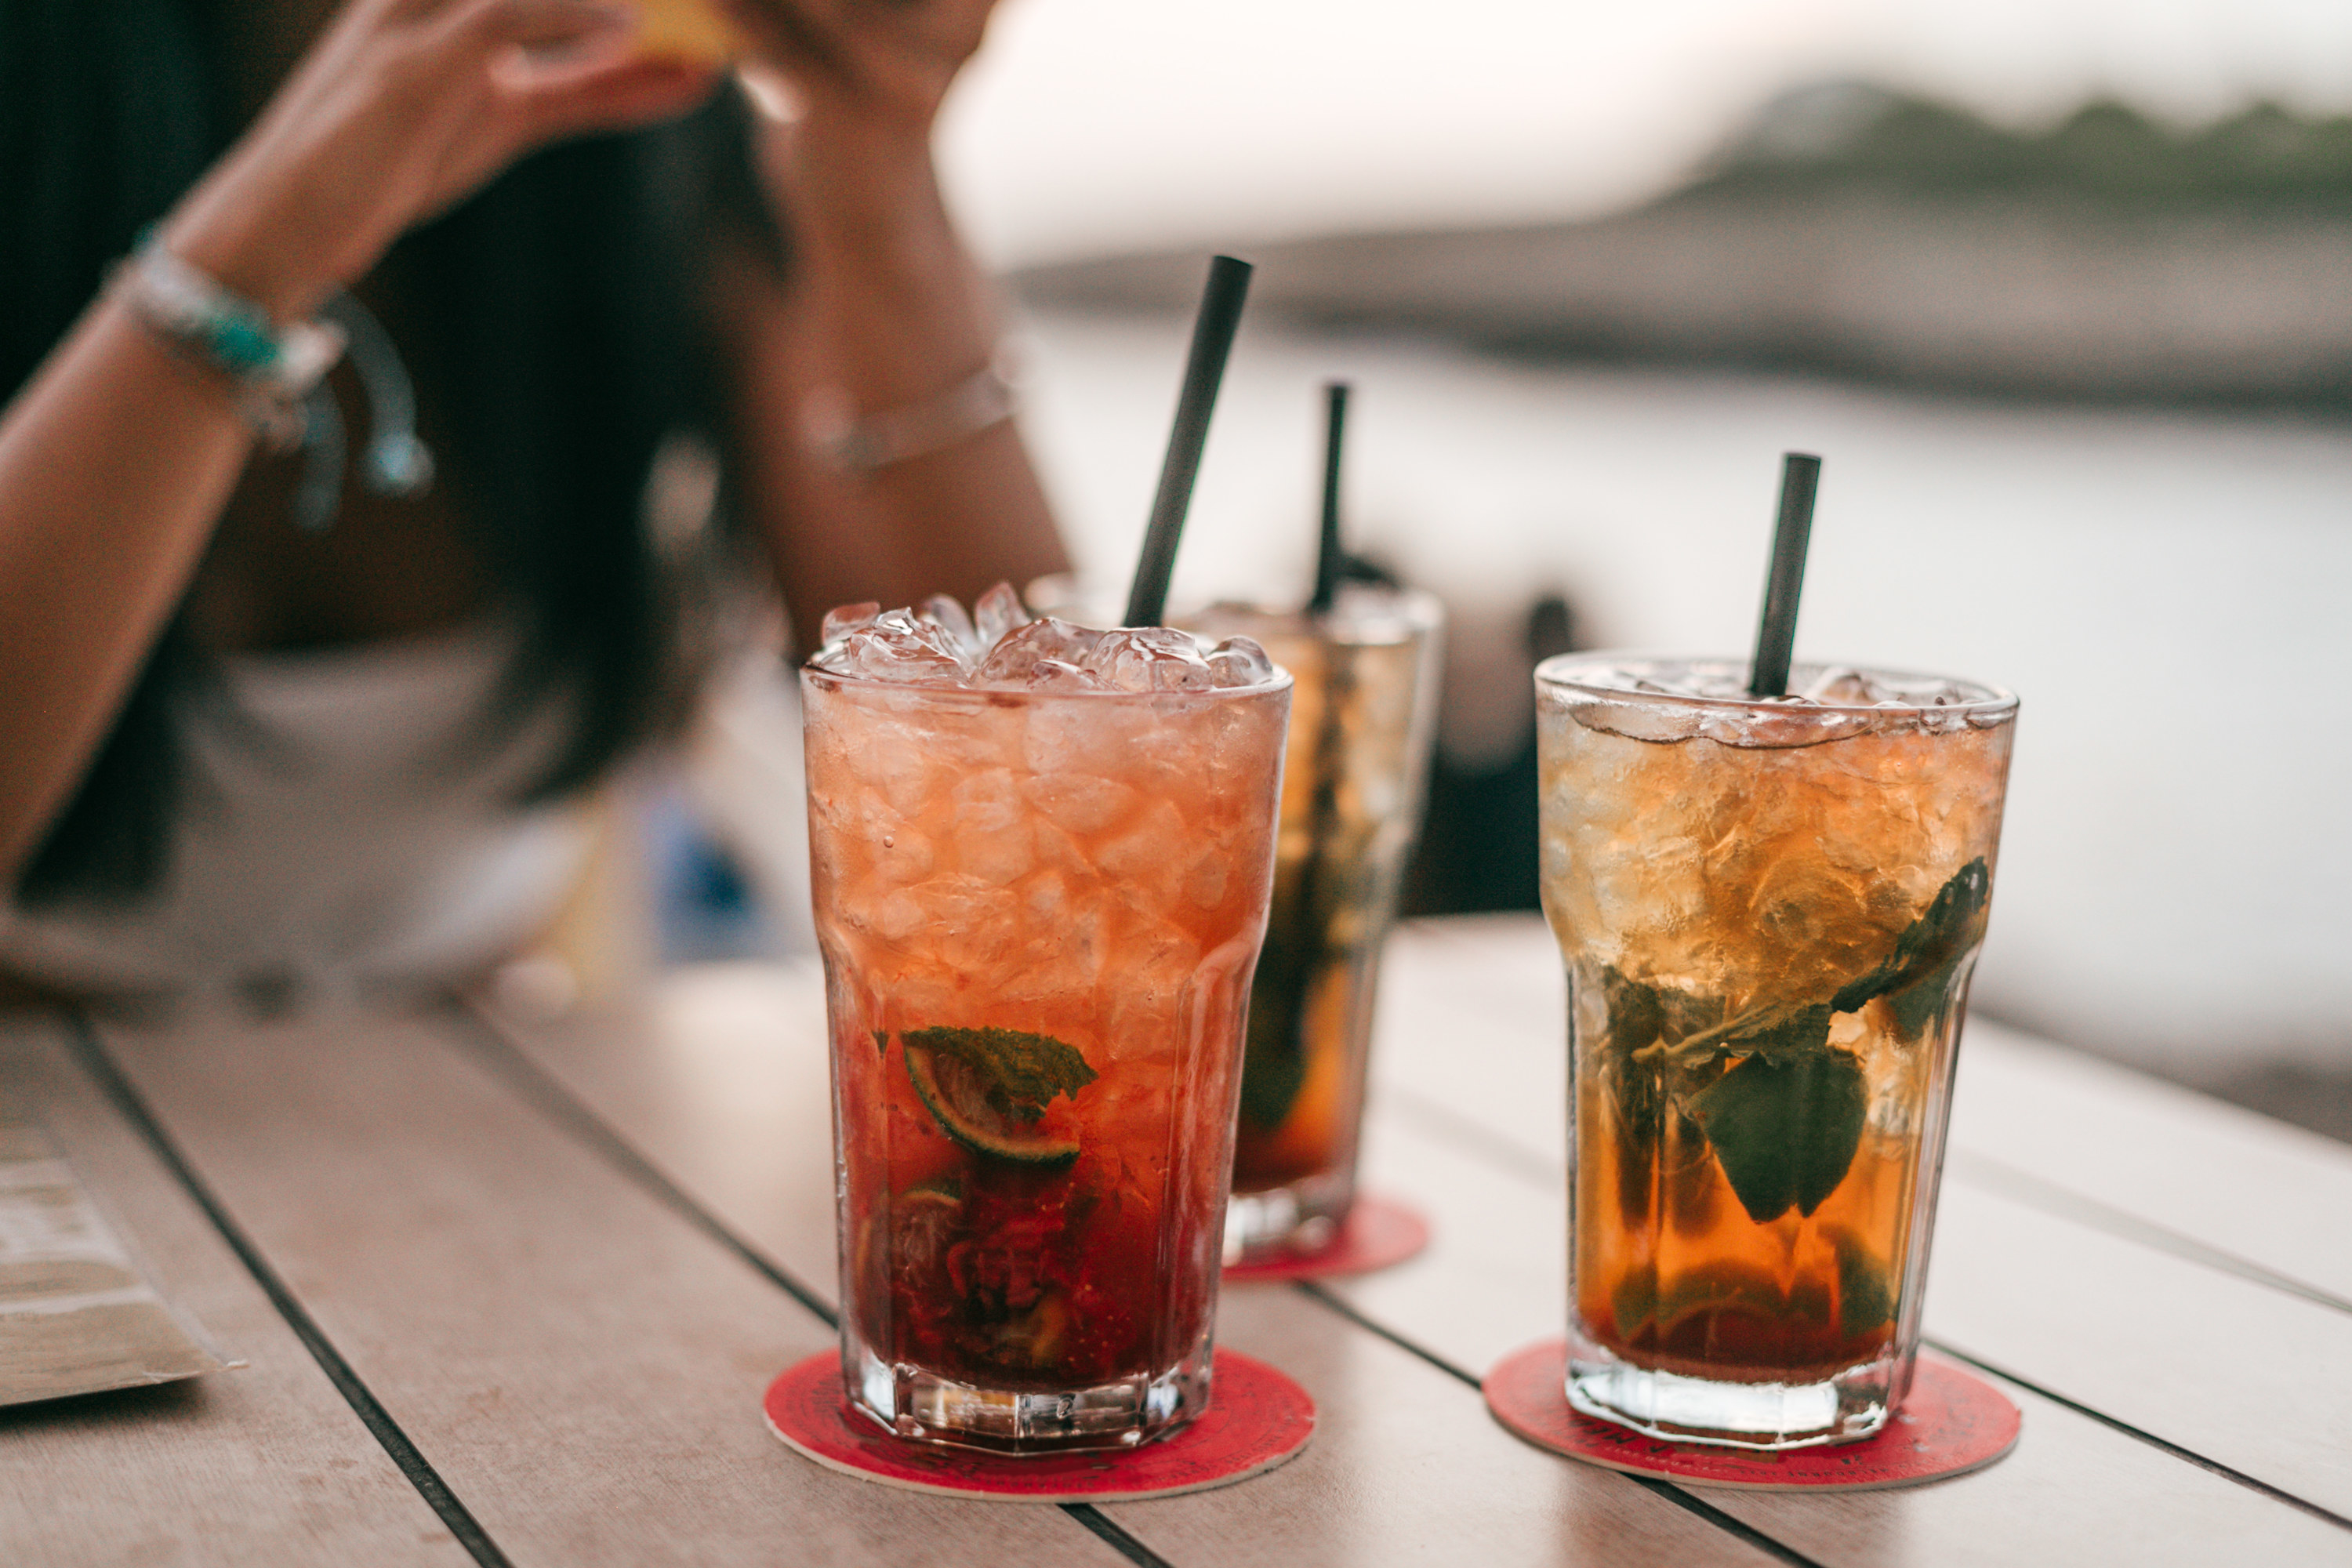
x: 514, y: 1294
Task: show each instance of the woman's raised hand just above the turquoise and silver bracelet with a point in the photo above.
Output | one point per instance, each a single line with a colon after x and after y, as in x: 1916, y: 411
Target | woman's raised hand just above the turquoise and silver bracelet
x: 401, y: 112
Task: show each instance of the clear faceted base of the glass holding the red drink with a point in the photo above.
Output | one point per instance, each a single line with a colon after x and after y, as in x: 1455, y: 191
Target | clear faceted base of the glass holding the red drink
x: 930, y: 1409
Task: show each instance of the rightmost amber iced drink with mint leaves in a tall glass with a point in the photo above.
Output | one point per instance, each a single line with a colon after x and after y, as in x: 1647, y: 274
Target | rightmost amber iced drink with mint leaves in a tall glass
x: 1770, y: 916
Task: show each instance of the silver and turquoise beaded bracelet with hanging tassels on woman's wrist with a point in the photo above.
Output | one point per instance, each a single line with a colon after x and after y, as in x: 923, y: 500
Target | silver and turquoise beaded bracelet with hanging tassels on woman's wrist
x: 274, y: 368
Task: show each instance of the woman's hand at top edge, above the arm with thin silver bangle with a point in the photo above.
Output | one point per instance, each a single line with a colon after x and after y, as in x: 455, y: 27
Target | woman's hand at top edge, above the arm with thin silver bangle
x: 883, y: 62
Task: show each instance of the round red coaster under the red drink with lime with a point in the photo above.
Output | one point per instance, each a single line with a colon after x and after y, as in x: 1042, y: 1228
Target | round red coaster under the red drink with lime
x: 1257, y: 1419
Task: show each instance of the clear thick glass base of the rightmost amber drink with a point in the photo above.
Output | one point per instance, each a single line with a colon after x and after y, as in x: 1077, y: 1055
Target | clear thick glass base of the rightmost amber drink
x: 1768, y: 1416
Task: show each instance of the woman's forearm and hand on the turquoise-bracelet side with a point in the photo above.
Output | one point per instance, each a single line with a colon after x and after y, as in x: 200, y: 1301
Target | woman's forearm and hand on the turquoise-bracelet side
x: 119, y: 457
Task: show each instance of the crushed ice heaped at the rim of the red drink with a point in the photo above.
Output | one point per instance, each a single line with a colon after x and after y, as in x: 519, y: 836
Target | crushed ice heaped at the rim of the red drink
x: 1001, y: 648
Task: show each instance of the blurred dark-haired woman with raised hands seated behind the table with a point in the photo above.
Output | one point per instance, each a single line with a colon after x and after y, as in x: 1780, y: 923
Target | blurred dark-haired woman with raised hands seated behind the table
x: 302, y: 676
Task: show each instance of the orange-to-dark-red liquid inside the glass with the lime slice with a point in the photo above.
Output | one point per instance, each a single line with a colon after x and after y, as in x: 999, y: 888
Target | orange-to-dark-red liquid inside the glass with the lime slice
x: 1083, y: 869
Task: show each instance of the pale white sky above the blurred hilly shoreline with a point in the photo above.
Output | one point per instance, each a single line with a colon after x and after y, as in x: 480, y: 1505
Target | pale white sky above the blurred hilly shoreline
x: 1109, y: 123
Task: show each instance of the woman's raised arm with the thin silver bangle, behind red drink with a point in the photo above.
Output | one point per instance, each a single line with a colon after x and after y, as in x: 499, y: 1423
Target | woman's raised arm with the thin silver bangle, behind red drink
x: 883, y: 314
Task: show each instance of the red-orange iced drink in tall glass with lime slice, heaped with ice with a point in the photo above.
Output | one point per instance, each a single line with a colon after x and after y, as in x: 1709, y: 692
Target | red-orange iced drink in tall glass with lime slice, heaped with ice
x: 1041, y: 864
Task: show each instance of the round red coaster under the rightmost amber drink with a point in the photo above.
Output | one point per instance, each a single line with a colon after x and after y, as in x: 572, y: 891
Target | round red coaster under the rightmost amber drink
x: 1951, y: 1423
